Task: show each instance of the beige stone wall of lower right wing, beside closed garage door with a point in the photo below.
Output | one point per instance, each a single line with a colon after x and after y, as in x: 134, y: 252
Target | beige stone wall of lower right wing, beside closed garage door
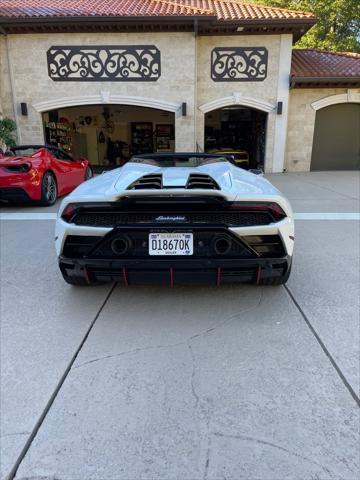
x: 301, y: 125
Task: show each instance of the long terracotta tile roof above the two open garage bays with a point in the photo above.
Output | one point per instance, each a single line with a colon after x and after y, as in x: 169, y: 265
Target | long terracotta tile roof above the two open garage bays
x: 221, y: 9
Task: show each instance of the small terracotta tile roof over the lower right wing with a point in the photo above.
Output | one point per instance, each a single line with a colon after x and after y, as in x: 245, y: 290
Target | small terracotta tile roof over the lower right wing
x: 316, y: 63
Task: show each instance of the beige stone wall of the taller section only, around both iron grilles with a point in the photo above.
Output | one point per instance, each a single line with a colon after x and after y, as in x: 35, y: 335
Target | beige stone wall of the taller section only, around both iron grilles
x: 185, y: 77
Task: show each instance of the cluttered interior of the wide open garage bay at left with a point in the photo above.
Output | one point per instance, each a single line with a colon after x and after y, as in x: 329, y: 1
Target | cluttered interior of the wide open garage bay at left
x: 109, y: 135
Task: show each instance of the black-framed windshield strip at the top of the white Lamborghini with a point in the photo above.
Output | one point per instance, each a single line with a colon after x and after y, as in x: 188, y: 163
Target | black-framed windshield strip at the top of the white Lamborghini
x: 180, y: 161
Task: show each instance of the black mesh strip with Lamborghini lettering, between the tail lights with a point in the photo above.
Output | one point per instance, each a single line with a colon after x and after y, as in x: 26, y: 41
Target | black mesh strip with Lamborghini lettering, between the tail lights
x: 112, y: 219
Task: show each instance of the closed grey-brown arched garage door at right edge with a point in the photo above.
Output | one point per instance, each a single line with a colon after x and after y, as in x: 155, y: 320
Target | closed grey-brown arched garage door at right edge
x: 336, y: 144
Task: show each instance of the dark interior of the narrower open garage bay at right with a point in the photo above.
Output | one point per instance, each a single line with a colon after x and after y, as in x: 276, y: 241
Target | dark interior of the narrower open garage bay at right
x: 237, y: 129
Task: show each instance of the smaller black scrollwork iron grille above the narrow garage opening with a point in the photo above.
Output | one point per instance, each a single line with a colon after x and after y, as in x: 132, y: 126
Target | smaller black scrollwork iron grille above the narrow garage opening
x: 239, y: 64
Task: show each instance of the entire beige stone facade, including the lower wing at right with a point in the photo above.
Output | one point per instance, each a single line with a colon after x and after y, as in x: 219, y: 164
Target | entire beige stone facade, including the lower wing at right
x: 185, y: 77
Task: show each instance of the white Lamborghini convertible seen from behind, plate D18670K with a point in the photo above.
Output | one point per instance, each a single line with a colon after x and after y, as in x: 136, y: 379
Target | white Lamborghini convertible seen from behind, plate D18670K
x: 175, y: 218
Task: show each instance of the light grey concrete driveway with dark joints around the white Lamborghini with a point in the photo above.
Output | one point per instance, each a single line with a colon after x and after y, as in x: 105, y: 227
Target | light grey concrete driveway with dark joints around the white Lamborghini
x: 239, y: 382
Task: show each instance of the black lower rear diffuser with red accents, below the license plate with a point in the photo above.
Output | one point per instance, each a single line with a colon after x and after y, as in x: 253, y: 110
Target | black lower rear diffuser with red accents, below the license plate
x: 175, y: 272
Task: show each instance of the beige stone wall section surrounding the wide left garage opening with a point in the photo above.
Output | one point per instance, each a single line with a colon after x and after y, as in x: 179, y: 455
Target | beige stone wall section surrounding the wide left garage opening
x: 33, y: 85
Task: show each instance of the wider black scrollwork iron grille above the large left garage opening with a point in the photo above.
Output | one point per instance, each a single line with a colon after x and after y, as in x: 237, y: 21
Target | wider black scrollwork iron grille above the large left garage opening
x: 104, y: 63
